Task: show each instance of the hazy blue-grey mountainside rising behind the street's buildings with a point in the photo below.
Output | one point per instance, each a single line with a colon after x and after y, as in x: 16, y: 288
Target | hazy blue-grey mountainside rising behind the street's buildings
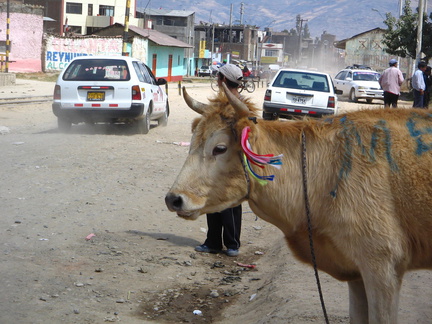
x: 343, y: 18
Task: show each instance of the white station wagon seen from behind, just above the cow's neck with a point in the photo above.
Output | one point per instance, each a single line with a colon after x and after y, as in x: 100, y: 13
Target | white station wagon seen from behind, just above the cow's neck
x: 299, y: 92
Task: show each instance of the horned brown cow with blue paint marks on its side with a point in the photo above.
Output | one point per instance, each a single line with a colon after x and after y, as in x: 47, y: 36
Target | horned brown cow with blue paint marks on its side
x: 369, y: 188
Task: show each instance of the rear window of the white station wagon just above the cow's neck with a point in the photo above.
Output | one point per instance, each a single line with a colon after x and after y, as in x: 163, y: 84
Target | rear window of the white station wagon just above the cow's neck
x: 302, y: 80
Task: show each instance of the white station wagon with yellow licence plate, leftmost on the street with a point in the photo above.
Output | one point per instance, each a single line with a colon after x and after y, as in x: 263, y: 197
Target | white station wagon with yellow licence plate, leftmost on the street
x: 109, y: 89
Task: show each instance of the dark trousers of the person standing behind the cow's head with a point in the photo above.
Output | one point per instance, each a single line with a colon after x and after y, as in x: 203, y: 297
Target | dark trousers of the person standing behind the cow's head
x: 225, y: 225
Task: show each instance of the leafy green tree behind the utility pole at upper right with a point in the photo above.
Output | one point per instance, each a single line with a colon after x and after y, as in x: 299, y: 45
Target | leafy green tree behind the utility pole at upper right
x: 400, y: 38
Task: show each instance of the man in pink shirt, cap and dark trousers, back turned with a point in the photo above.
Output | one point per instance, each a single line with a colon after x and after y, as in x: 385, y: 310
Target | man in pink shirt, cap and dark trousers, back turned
x: 391, y: 80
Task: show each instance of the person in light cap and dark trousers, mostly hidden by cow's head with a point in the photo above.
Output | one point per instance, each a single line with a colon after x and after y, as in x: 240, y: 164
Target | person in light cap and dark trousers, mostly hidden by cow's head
x: 226, y: 225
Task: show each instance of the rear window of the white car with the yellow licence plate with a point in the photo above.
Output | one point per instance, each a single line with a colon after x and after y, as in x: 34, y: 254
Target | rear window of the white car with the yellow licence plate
x: 97, y: 70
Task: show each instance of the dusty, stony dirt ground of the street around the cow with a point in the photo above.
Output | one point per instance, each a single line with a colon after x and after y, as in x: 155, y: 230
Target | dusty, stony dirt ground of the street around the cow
x: 140, y: 267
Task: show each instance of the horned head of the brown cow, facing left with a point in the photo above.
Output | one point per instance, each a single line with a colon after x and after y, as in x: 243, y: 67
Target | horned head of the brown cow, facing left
x: 213, y: 178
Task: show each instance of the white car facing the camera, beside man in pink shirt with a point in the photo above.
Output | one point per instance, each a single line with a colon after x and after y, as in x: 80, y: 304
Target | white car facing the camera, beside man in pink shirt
x: 359, y: 83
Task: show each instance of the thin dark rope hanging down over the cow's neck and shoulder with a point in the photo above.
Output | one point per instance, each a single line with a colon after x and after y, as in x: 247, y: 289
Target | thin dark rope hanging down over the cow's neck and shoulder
x: 304, y: 173
